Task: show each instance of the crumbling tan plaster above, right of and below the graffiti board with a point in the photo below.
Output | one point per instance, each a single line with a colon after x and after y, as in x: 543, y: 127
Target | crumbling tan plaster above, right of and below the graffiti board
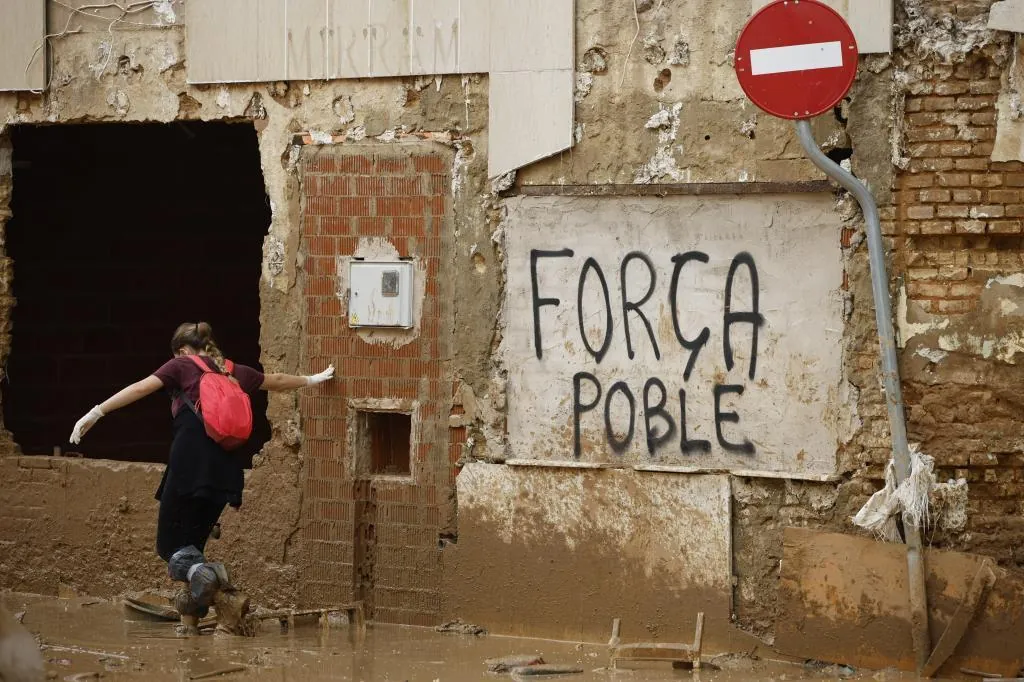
x: 667, y: 109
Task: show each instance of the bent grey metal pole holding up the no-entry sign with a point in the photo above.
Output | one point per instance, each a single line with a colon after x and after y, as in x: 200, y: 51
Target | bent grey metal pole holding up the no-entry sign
x: 890, y: 375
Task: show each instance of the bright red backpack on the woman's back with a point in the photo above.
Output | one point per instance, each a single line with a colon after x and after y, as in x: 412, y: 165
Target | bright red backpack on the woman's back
x: 224, y: 408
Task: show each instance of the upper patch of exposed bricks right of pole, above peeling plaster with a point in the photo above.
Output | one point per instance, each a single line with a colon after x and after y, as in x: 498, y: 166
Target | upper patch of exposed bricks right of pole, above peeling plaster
x: 956, y: 210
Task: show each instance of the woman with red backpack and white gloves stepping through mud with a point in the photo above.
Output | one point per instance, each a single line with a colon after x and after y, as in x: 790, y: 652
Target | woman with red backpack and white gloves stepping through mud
x: 203, y: 476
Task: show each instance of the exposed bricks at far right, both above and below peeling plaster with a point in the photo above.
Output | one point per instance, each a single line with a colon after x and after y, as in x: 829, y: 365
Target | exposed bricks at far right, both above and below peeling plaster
x: 957, y: 222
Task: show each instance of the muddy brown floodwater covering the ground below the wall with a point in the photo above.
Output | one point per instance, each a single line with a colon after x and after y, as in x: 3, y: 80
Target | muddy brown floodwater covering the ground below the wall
x: 81, y: 636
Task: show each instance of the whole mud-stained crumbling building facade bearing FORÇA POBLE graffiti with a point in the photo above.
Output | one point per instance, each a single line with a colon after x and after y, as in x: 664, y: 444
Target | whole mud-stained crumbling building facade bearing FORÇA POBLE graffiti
x: 558, y: 448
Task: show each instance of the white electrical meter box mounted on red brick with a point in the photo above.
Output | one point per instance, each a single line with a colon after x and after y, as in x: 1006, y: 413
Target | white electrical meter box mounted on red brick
x: 380, y: 294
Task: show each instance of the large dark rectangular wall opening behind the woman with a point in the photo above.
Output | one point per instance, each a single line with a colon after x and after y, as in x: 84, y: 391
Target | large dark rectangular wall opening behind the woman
x: 119, y: 234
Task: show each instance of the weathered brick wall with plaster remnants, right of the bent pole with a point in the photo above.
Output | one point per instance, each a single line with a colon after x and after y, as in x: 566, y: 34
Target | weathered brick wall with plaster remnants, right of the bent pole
x: 957, y: 226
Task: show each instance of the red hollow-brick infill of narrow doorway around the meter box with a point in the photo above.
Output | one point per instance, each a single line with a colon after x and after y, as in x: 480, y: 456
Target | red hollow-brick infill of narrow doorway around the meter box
x: 373, y: 538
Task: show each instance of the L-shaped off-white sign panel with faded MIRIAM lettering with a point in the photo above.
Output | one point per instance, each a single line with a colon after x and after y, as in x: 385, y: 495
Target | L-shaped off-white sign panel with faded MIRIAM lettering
x: 527, y: 46
